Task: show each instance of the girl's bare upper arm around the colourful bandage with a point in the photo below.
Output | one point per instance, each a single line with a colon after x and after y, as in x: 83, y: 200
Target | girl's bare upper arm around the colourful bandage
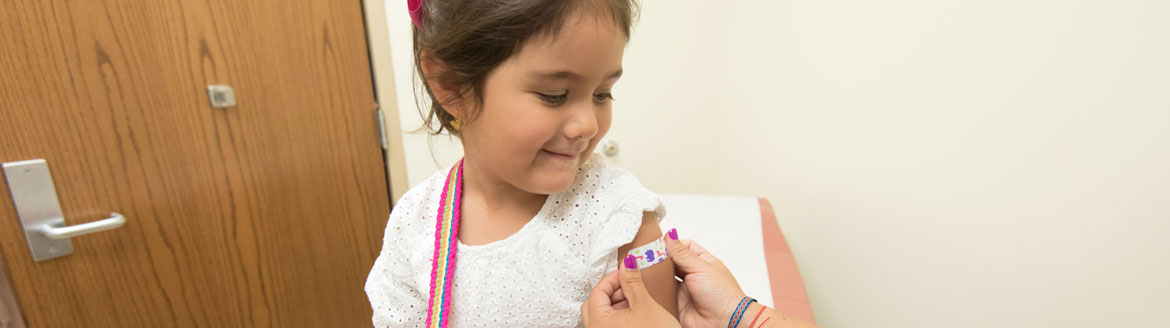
x: 659, y: 279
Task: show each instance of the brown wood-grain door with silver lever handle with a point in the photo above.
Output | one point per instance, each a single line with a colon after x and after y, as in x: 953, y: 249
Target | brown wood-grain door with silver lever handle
x: 265, y: 215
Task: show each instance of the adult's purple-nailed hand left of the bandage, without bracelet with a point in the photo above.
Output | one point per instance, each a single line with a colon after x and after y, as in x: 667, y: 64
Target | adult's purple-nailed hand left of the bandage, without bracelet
x: 624, y: 286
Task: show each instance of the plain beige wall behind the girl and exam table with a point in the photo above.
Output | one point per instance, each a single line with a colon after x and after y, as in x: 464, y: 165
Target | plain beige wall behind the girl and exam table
x: 933, y: 163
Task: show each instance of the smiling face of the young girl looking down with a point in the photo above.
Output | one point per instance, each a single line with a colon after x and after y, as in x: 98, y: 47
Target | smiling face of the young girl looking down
x: 547, y: 107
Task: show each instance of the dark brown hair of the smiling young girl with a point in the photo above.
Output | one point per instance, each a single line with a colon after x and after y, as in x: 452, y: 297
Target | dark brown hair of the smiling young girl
x: 471, y: 38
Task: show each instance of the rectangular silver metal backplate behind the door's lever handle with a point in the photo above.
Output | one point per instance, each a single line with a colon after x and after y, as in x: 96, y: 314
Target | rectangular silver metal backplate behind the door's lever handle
x: 37, y: 206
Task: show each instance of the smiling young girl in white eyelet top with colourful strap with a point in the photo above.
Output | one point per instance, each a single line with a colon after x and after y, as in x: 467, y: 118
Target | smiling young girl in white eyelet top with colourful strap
x: 519, y: 231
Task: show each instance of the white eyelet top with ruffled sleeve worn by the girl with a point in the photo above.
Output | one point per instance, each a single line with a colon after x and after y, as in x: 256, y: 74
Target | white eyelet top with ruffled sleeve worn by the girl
x: 539, y: 277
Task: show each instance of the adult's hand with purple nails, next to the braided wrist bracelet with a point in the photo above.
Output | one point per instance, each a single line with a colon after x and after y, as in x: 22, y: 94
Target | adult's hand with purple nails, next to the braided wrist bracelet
x: 710, y: 293
